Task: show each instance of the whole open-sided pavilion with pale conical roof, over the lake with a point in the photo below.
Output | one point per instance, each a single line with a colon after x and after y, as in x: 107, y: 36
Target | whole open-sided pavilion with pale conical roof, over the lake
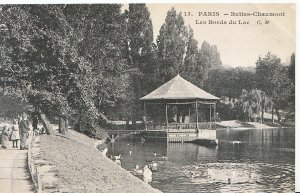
x: 177, y: 92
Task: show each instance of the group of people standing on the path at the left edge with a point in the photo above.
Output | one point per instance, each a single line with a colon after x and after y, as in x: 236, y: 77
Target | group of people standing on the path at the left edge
x: 17, y: 131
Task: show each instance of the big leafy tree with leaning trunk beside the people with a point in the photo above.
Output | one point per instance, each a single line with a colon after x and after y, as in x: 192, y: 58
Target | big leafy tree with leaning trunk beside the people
x: 41, y: 55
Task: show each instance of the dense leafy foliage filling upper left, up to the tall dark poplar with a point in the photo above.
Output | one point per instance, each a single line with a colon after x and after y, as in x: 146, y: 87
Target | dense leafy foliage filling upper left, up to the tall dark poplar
x: 44, y: 54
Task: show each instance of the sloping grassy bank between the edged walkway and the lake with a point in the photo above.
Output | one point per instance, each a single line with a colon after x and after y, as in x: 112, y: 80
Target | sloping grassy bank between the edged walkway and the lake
x: 81, y: 168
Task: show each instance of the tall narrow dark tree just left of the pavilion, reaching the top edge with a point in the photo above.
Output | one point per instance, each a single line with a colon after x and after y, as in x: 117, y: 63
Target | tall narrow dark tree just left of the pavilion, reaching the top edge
x: 141, y: 54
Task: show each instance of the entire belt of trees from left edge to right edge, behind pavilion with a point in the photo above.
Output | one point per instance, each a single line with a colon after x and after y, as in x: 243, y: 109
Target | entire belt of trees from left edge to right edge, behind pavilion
x: 92, y: 63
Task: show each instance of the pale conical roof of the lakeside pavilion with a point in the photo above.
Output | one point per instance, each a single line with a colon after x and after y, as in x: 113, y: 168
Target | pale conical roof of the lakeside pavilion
x: 179, y: 88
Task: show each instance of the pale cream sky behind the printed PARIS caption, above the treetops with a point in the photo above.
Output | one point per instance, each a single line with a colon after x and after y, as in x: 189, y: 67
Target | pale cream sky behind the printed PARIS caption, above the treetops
x: 239, y: 44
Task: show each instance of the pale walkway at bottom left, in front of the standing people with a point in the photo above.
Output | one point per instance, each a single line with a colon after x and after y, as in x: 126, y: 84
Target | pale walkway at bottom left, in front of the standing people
x: 14, y: 174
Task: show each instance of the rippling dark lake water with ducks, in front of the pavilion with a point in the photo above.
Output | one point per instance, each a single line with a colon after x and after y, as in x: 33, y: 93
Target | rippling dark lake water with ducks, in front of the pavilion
x: 246, y: 160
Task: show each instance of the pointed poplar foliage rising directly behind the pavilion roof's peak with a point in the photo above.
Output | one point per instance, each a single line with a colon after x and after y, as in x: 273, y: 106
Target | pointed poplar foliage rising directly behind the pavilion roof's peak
x: 178, y: 52
